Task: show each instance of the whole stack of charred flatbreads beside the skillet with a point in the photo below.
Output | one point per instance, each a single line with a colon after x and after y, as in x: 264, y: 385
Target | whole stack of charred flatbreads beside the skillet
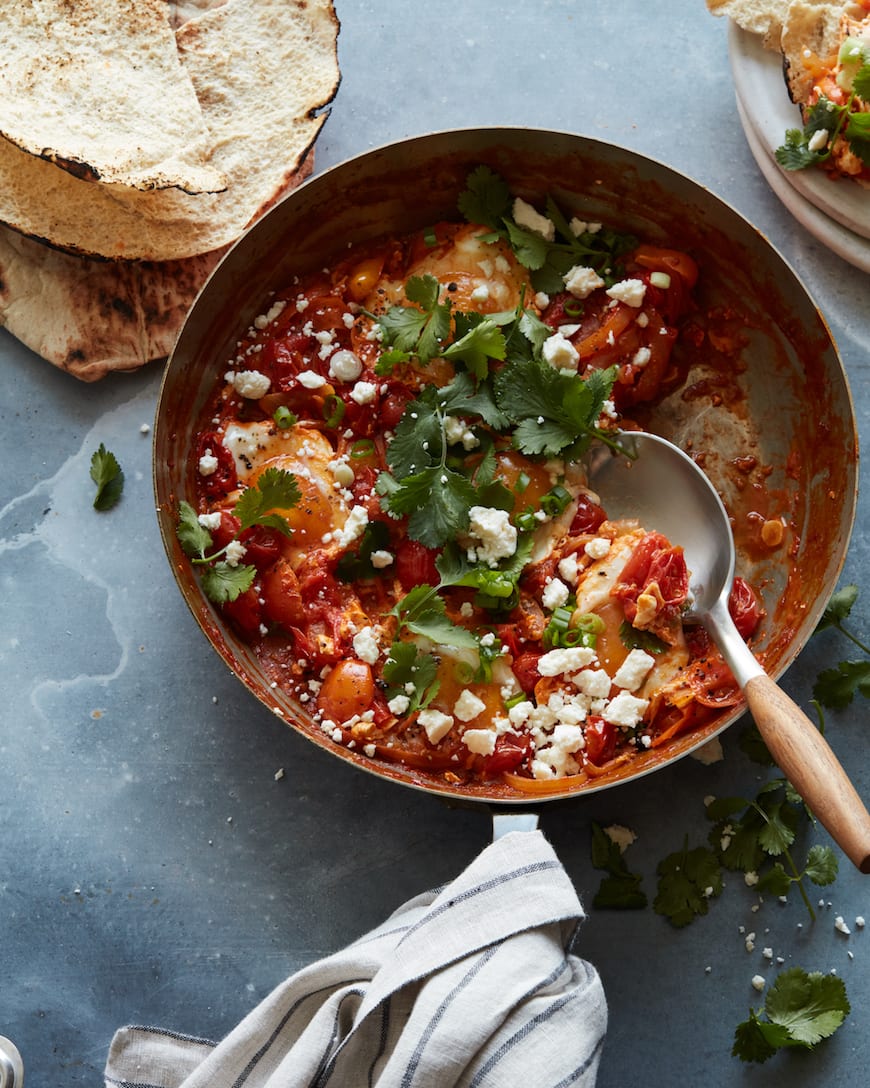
x: 139, y: 140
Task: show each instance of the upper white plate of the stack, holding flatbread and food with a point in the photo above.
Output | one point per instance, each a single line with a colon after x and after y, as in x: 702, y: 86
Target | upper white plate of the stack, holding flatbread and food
x: 762, y: 91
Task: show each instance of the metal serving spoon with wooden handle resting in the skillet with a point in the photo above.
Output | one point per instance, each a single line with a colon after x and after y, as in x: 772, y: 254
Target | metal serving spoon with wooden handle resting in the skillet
x: 666, y: 491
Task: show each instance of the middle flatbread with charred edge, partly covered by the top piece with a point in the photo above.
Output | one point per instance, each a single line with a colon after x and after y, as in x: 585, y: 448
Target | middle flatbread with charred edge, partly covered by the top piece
x: 264, y: 73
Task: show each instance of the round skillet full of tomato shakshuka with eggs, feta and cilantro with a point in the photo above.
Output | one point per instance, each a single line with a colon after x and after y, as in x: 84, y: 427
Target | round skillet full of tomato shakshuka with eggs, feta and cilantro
x: 371, y: 449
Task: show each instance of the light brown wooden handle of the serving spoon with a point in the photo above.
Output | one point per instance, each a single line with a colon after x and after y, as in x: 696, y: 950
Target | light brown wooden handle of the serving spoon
x: 806, y: 760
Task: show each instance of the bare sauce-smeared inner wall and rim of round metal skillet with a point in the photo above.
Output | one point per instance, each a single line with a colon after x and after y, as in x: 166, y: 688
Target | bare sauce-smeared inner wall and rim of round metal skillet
x: 779, y: 439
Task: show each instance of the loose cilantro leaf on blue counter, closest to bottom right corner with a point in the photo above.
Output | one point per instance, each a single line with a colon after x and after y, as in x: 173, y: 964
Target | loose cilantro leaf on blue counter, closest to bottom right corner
x: 801, y: 1009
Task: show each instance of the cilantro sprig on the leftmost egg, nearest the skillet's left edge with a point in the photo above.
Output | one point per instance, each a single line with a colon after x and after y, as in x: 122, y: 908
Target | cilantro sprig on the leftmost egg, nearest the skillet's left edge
x: 259, y: 505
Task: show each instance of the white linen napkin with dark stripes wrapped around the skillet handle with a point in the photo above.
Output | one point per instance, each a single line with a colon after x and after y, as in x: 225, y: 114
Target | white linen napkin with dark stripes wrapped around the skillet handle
x: 474, y: 984
